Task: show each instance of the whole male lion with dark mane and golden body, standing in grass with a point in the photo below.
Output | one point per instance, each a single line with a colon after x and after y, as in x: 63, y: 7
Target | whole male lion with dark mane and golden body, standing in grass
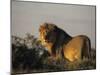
x: 60, y: 43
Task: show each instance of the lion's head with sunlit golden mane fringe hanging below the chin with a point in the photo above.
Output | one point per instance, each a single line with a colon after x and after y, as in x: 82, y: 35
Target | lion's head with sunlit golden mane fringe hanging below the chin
x: 47, y: 32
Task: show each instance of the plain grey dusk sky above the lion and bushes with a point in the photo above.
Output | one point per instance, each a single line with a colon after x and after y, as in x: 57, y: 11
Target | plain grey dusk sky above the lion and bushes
x: 74, y: 19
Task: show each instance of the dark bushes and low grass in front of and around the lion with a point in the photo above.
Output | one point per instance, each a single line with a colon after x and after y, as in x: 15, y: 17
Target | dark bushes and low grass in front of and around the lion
x: 29, y: 56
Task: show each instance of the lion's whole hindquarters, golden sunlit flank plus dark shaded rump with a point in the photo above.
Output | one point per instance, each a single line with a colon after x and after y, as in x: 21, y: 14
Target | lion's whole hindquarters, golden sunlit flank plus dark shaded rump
x: 77, y: 48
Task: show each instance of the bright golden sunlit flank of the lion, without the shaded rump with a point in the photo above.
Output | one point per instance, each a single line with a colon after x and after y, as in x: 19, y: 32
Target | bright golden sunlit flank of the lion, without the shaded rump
x: 72, y: 50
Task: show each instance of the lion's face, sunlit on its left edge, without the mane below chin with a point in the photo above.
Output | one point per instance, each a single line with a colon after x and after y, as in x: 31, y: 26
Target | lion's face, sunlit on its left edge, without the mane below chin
x: 46, y: 31
